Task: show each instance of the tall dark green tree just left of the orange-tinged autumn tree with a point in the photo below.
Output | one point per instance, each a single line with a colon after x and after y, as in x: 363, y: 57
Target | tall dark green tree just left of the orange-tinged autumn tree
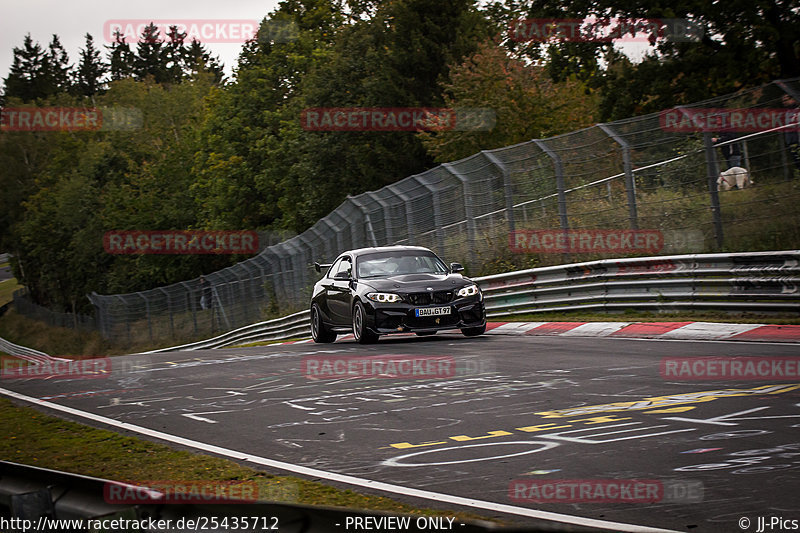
x: 395, y: 58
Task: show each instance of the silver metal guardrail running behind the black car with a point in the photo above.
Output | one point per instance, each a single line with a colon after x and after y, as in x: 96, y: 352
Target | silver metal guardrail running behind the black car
x: 755, y: 281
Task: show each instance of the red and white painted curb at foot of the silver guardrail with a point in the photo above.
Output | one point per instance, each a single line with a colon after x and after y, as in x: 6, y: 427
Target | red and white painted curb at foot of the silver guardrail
x: 703, y: 331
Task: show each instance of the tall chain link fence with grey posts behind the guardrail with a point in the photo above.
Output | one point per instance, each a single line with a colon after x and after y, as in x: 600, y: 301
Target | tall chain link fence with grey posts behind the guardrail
x: 640, y: 173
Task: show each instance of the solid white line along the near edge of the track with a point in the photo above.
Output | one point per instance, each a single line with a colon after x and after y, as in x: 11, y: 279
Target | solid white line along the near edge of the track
x: 340, y: 478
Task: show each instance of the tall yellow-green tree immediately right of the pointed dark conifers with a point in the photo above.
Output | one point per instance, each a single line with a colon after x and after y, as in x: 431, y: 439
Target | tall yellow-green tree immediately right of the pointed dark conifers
x: 244, y: 155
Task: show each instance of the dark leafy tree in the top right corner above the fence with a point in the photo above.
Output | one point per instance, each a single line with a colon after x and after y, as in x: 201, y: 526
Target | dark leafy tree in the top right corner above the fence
x: 743, y: 43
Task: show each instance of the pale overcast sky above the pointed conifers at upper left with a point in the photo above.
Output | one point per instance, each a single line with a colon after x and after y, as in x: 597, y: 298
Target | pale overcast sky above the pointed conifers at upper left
x: 72, y: 19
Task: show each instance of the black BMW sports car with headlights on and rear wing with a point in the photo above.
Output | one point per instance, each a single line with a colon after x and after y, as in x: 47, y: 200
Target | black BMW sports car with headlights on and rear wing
x: 392, y: 289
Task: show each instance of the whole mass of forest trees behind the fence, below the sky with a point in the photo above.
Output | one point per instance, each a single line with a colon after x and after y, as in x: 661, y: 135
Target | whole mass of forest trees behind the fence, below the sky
x: 218, y: 154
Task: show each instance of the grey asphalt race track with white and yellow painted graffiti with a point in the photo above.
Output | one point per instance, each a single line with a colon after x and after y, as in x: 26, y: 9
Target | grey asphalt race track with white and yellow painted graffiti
x: 495, y: 418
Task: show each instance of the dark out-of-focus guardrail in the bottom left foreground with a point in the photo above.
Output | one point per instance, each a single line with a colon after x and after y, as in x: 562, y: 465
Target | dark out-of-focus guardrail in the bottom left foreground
x: 31, y: 496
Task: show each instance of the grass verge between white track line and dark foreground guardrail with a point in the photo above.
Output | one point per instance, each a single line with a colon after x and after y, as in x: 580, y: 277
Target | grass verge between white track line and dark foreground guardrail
x: 30, y: 437
